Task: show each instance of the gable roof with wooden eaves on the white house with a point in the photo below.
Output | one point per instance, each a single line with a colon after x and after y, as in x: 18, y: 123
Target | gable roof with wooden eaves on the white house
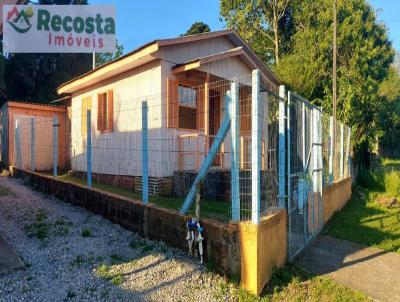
x: 147, y: 53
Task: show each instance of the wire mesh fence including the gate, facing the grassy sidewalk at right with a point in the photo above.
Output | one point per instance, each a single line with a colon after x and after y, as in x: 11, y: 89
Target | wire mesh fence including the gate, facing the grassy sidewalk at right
x: 317, y: 156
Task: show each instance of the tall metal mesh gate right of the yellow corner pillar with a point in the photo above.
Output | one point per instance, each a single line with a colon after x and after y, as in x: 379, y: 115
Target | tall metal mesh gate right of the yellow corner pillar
x: 304, y: 146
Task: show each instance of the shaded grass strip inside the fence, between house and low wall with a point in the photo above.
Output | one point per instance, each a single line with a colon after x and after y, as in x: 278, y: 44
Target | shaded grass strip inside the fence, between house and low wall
x: 215, y: 209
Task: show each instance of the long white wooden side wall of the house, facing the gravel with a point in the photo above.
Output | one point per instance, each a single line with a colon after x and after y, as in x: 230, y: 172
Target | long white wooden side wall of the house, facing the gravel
x: 119, y: 152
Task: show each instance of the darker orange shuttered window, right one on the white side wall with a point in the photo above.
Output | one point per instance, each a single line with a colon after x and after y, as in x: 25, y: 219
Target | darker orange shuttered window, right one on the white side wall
x: 105, y: 111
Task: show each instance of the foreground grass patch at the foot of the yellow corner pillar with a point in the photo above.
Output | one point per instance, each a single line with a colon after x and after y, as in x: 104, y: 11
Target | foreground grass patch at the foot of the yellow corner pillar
x: 292, y: 284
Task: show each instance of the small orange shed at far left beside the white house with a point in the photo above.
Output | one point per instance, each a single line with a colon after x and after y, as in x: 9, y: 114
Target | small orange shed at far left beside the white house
x: 21, y: 114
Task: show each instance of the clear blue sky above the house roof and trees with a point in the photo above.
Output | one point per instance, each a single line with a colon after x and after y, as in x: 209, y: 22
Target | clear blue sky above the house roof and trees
x: 141, y: 21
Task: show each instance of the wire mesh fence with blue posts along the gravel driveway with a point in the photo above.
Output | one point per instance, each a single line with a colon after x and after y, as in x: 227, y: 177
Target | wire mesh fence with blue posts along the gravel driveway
x: 102, y: 134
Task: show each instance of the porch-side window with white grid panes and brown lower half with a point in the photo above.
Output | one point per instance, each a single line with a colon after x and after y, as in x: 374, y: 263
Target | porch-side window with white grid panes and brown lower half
x: 187, y: 100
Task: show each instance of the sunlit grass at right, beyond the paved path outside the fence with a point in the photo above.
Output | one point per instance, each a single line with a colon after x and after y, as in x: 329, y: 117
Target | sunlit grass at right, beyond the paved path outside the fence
x: 366, y: 221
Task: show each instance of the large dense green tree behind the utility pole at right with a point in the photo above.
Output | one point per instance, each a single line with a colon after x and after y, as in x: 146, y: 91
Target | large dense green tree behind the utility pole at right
x: 364, y: 57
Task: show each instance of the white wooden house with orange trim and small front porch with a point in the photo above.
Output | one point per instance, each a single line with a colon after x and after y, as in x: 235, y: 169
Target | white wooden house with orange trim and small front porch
x: 182, y: 81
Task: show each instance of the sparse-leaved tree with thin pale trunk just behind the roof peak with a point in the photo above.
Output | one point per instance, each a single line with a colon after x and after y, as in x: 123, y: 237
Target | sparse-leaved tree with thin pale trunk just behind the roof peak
x: 258, y: 22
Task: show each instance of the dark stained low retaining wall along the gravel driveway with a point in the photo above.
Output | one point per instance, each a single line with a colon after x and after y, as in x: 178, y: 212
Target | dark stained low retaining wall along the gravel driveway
x: 222, y: 245
